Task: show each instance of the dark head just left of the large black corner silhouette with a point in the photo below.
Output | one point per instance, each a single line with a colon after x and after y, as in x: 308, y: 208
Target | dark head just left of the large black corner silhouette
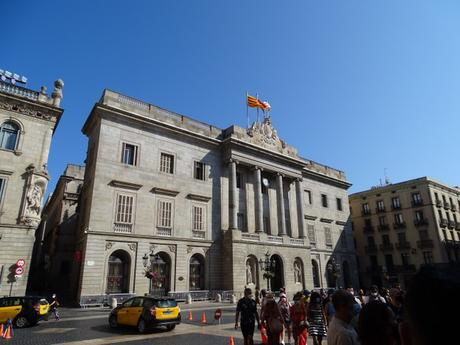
x: 377, y: 325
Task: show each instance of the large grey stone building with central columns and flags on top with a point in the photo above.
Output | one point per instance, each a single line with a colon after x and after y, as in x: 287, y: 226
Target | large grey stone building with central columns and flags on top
x: 195, y: 207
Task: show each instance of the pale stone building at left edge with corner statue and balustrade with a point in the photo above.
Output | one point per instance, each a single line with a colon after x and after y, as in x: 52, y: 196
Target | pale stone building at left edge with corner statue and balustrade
x: 27, y: 122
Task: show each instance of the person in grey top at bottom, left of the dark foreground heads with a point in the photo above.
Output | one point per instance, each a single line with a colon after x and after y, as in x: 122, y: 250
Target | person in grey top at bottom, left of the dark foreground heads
x: 340, y: 330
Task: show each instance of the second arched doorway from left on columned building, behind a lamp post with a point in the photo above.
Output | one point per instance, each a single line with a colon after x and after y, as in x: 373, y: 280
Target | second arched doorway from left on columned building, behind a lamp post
x: 160, y: 275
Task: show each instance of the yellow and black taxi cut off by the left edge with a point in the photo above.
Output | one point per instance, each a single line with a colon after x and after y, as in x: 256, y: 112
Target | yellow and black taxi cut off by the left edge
x: 23, y: 310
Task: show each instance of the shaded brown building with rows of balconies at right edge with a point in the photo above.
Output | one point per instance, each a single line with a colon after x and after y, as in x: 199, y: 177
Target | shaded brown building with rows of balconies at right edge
x: 400, y: 227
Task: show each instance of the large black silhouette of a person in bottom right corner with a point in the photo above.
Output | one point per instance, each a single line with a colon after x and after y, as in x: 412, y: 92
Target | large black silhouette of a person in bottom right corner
x: 430, y: 305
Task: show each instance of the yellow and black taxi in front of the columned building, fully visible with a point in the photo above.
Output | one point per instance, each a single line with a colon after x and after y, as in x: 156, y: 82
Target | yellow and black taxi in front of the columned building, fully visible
x: 146, y: 313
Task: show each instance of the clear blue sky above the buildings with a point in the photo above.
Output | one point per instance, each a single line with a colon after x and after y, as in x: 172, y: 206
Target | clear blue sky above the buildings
x: 357, y: 85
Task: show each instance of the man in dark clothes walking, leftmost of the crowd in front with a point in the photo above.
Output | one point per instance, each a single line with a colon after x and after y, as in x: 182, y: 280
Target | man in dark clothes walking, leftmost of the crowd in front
x: 247, y: 308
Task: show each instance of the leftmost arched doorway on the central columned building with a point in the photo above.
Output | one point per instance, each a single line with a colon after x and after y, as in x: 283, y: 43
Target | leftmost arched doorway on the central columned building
x: 118, y: 272
